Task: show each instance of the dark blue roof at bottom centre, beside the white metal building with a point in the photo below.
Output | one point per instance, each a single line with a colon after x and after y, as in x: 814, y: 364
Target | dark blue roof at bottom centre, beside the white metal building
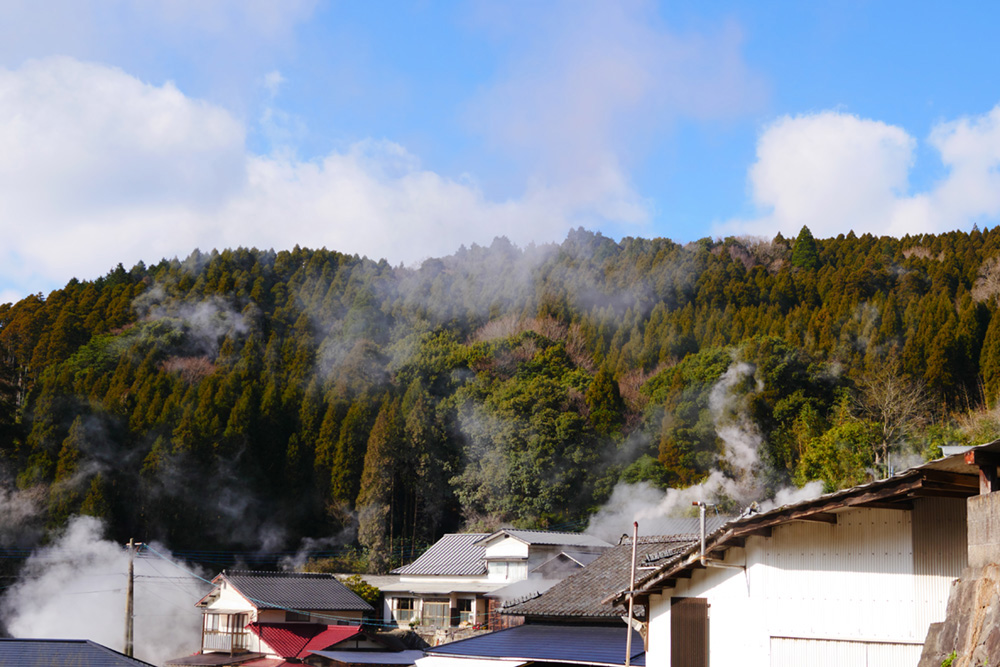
x: 549, y: 643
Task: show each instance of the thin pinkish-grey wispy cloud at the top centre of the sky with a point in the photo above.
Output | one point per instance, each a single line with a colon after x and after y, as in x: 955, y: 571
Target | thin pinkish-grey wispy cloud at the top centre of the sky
x: 591, y: 84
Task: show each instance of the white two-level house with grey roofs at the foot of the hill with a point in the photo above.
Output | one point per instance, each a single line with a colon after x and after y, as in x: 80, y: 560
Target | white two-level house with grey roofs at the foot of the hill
x: 448, y: 584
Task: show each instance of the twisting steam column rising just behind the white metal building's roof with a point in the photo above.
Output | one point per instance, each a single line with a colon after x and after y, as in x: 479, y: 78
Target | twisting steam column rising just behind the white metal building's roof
x: 737, y: 479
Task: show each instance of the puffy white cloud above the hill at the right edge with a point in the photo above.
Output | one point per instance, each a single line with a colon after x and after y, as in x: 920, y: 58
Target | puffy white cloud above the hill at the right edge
x: 835, y: 172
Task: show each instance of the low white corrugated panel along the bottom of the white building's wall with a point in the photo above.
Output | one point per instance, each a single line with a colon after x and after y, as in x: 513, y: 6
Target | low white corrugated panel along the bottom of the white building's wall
x: 793, y: 652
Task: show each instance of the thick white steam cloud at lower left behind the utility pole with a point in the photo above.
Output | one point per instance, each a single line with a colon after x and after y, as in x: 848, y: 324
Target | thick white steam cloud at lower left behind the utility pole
x: 75, y: 589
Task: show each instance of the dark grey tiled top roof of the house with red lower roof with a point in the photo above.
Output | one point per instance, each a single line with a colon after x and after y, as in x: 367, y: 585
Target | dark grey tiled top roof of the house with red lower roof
x: 295, y: 590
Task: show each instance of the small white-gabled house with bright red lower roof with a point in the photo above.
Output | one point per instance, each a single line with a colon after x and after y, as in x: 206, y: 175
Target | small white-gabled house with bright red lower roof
x: 276, y: 615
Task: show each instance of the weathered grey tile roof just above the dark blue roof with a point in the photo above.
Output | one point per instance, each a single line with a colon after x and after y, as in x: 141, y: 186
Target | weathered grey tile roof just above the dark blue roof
x: 580, y: 594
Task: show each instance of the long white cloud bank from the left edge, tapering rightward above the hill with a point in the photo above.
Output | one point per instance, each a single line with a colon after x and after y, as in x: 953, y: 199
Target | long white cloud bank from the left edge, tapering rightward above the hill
x: 97, y: 168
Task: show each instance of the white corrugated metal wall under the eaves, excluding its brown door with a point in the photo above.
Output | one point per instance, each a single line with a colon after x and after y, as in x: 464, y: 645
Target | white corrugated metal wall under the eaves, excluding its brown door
x: 861, y: 591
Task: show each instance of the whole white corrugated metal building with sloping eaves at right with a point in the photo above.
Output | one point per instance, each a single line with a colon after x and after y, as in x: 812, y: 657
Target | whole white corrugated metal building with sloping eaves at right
x: 852, y: 577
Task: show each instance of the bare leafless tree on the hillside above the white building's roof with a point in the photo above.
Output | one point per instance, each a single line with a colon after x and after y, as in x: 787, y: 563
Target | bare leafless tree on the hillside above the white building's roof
x: 896, y: 404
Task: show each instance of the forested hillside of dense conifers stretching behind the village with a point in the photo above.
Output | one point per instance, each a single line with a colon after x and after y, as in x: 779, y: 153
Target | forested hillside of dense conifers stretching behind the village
x: 246, y: 399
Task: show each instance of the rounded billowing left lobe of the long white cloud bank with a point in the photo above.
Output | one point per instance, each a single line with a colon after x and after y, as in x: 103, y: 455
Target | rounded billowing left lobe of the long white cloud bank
x: 97, y: 167
